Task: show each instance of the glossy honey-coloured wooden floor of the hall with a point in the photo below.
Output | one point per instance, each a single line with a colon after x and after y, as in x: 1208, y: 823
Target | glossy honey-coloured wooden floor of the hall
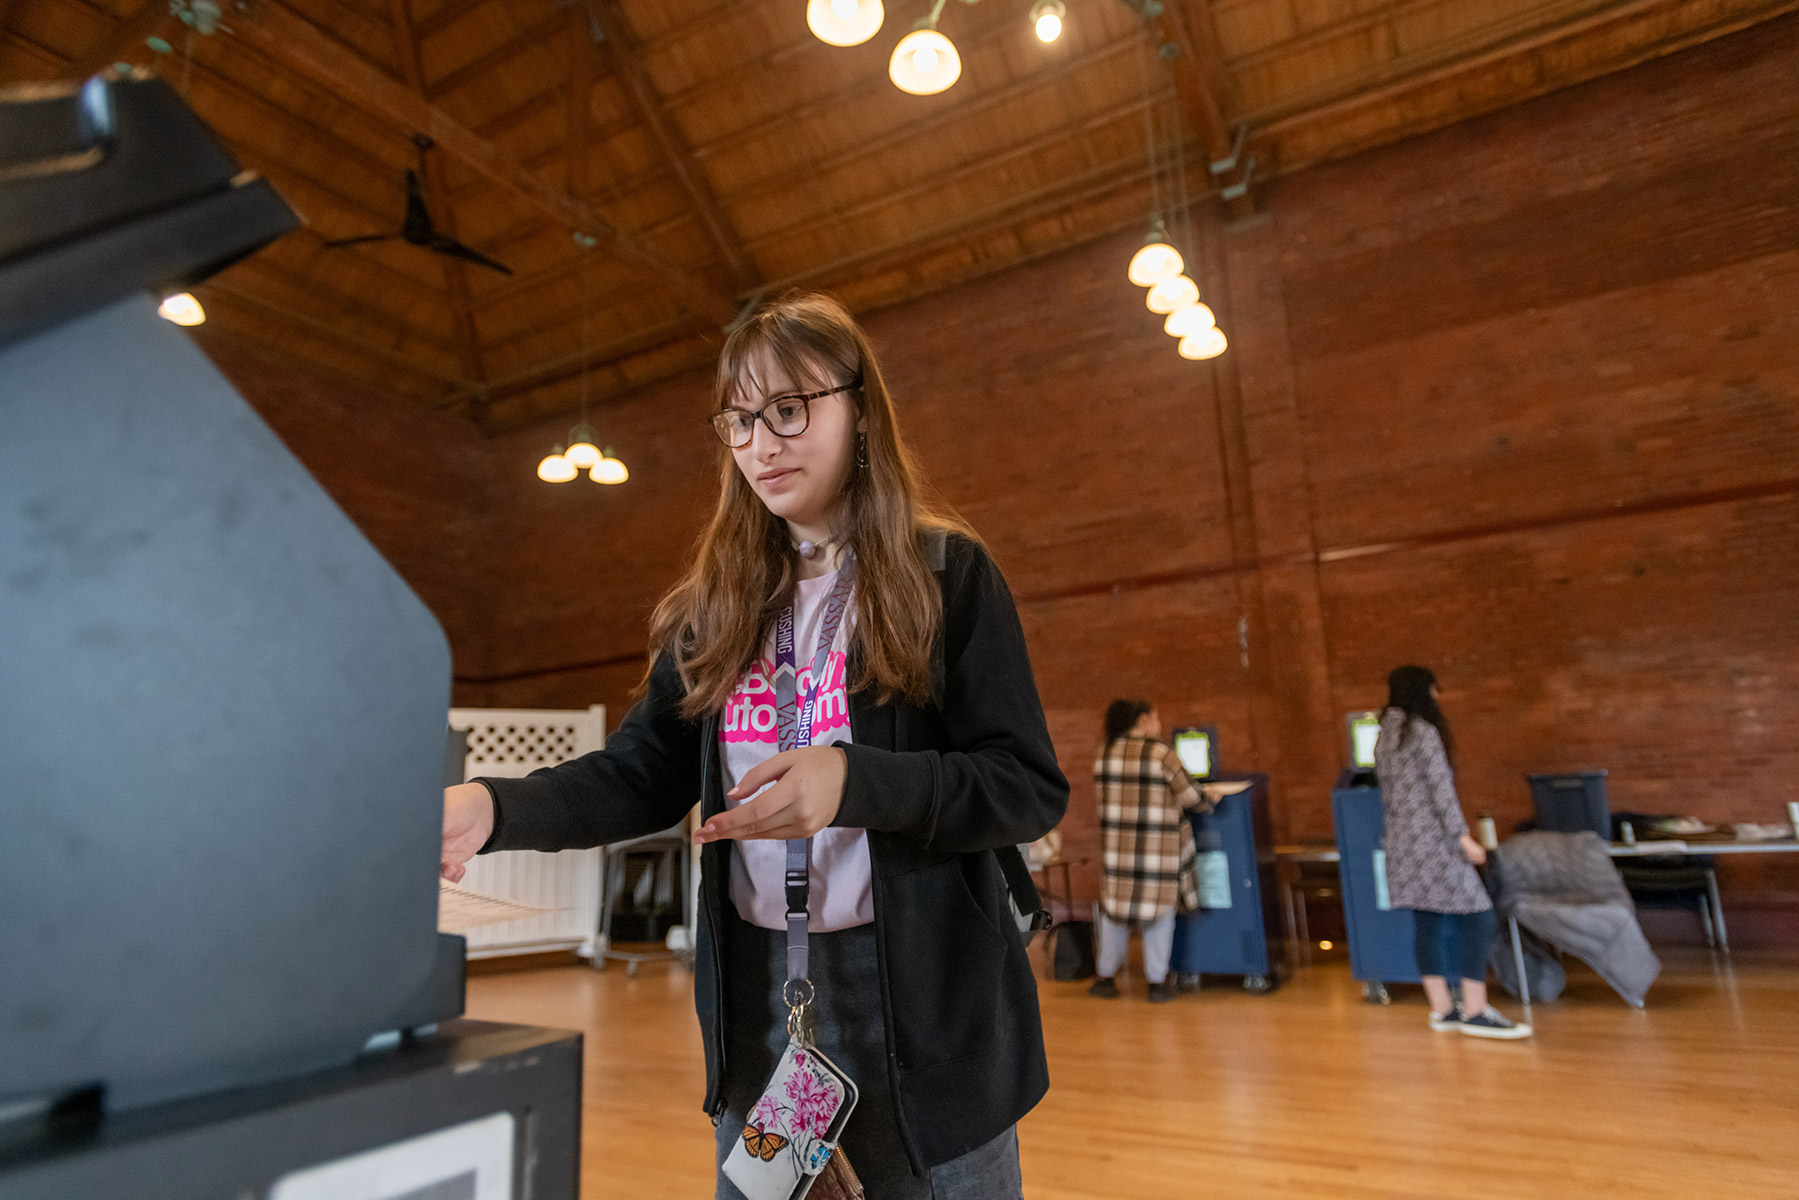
x: 1302, y: 1093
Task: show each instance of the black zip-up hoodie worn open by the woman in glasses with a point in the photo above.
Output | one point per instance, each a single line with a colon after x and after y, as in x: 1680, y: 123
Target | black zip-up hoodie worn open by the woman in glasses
x: 938, y: 787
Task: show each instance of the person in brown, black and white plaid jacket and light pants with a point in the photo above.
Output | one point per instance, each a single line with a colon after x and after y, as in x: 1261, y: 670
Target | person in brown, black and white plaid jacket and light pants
x: 1149, y: 857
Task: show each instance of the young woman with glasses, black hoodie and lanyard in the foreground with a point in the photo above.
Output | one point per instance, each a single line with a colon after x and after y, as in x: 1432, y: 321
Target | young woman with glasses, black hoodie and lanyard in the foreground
x: 841, y: 683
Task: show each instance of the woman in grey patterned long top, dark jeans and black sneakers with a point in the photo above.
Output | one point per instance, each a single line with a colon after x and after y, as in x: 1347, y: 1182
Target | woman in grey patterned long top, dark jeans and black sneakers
x: 1431, y: 857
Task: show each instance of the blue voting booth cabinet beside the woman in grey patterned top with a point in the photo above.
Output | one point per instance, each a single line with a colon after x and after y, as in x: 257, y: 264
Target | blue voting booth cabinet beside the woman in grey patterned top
x: 1381, y: 938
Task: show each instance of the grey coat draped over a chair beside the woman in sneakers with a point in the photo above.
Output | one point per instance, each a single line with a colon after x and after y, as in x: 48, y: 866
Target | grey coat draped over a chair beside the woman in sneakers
x: 1566, y: 890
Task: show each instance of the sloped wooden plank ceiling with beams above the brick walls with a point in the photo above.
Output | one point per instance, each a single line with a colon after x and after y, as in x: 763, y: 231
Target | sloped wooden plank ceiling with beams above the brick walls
x: 713, y: 150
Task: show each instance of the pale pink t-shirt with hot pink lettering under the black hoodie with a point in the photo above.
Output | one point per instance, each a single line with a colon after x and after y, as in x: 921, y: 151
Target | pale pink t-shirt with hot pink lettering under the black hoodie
x: 841, y: 877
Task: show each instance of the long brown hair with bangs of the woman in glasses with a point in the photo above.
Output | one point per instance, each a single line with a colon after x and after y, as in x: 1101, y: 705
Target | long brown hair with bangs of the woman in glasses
x: 717, y: 618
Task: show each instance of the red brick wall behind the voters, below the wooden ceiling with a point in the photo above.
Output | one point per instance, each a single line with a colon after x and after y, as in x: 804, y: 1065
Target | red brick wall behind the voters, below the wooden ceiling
x: 1516, y: 400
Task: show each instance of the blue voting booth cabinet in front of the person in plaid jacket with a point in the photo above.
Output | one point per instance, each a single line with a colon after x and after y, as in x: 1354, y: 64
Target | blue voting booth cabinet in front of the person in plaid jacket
x: 1235, y: 931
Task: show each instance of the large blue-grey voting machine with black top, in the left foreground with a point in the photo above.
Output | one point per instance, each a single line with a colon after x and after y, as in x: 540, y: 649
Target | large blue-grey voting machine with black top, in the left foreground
x: 224, y: 712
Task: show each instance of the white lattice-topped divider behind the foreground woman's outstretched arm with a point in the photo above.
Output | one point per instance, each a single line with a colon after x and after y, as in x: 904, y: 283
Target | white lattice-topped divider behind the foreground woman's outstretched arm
x: 517, y: 742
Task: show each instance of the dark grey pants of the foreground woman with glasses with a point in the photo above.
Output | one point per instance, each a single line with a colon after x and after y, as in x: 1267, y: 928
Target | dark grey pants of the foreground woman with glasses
x: 850, y: 1032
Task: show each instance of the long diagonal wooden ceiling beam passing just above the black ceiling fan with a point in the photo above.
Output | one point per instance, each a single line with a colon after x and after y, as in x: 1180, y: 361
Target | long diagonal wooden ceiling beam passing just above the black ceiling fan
x: 300, y: 46
